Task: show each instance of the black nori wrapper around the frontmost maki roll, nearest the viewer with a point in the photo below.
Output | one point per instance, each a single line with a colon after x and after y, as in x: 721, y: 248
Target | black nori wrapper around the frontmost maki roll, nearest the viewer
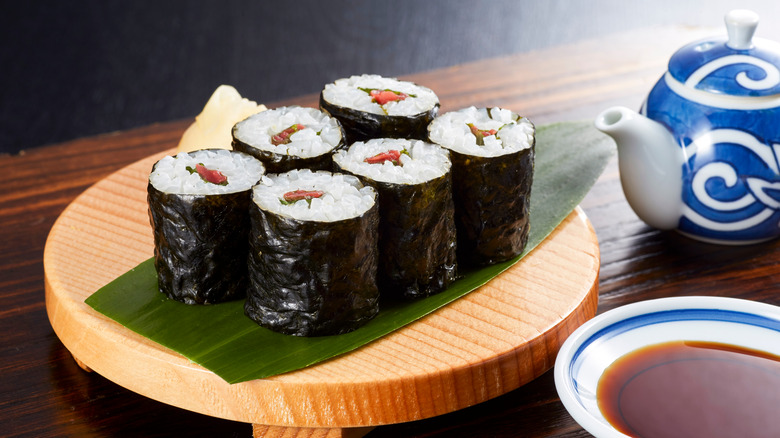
x: 310, y: 278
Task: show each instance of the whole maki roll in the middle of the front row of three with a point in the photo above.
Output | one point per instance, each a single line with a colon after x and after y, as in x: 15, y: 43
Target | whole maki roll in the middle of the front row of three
x: 416, y: 229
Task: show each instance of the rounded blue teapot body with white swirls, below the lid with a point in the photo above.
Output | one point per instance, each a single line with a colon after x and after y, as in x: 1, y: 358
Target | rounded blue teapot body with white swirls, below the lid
x: 731, y: 176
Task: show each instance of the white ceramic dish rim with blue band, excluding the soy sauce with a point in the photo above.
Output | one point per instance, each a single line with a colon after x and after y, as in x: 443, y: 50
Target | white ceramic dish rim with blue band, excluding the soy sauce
x: 595, y: 345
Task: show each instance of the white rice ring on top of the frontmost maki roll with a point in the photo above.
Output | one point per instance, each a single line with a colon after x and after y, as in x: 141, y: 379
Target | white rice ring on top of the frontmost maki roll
x: 344, y: 198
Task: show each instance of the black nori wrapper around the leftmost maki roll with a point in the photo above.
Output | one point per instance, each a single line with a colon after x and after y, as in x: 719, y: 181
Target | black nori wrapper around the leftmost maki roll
x: 200, y: 244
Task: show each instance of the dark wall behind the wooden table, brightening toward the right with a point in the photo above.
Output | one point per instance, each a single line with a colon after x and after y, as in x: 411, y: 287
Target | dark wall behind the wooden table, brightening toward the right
x: 75, y: 68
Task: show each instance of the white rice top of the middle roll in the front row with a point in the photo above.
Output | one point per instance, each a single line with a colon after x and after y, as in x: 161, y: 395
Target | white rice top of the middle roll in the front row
x: 422, y: 162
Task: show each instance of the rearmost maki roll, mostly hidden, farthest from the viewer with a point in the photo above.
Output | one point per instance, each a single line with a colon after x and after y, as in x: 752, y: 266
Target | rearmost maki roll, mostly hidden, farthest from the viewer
x: 371, y: 106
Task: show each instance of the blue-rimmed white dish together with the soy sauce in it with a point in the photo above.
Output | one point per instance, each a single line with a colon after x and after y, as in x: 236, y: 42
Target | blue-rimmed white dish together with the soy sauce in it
x: 683, y: 366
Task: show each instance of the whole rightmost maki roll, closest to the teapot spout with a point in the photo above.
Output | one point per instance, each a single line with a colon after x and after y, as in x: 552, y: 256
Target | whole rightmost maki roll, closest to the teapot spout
x: 492, y: 152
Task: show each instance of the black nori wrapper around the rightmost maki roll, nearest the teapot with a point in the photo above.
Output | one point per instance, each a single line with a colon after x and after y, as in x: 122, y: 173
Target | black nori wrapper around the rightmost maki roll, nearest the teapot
x: 492, y: 197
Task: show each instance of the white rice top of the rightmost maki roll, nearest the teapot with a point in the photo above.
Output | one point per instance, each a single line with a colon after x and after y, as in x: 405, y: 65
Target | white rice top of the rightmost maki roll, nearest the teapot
x: 451, y: 130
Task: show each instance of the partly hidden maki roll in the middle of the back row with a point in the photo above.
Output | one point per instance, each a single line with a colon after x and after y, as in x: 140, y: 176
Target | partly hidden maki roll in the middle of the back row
x: 289, y: 138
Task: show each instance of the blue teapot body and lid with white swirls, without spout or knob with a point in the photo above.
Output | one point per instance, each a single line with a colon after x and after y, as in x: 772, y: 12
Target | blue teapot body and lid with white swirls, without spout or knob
x: 722, y: 106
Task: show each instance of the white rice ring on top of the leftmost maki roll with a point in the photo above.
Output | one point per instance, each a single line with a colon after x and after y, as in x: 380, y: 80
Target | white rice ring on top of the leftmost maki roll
x: 170, y: 174
